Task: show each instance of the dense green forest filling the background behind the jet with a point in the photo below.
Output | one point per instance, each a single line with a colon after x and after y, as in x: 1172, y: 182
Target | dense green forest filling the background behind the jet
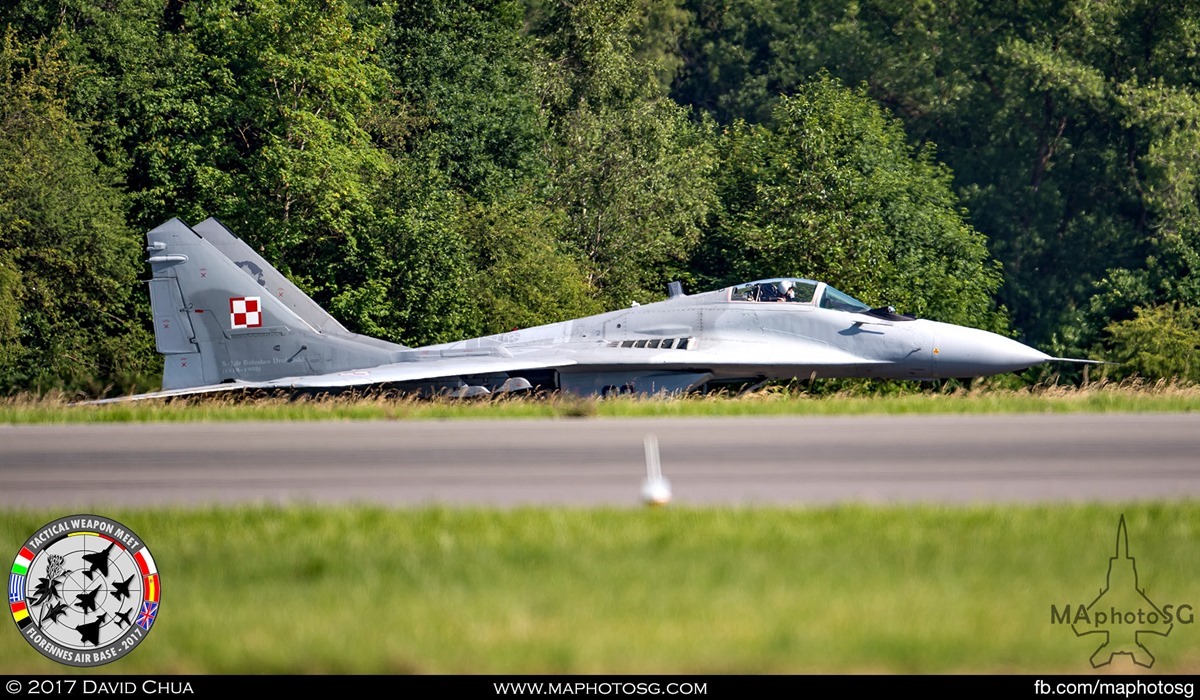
x: 435, y: 170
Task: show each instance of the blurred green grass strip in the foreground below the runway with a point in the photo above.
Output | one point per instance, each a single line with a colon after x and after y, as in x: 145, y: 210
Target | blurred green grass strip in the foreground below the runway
x: 850, y: 590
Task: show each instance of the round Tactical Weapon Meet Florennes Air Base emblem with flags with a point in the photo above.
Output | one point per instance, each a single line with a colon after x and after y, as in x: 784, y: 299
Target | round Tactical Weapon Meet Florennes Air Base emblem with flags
x: 85, y: 590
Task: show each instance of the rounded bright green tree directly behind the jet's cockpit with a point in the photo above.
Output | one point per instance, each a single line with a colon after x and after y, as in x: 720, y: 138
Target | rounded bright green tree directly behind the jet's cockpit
x: 833, y: 192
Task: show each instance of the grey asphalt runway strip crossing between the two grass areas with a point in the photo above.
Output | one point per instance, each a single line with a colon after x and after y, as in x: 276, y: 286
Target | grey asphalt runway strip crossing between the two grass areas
x: 737, y: 462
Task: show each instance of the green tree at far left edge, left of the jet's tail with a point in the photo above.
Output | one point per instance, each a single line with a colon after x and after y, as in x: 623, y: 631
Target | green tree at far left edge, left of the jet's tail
x: 69, y: 266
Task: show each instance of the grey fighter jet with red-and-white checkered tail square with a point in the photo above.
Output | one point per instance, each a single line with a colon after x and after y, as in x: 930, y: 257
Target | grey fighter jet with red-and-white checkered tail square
x: 223, y: 328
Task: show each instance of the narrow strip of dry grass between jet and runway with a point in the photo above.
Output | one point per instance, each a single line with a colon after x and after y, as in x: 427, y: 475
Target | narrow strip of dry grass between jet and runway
x: 1097, y: 398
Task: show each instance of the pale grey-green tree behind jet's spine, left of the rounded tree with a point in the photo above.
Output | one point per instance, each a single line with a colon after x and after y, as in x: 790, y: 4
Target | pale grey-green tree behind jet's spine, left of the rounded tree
x: 629, y: 171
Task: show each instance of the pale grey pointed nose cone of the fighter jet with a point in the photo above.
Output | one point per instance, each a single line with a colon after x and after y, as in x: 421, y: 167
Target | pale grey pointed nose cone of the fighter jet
x: 970, y: 352
